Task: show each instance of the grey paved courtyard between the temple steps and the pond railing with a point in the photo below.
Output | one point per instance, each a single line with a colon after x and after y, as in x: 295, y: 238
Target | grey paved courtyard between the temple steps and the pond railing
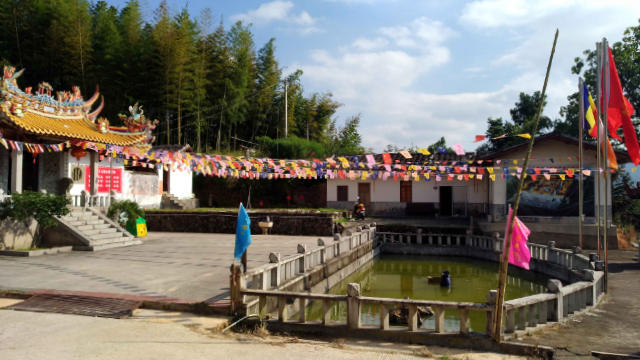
x: 191, y: 266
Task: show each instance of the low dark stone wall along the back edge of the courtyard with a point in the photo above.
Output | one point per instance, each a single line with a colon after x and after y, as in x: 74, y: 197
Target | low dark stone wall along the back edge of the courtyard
x: 284, y: 223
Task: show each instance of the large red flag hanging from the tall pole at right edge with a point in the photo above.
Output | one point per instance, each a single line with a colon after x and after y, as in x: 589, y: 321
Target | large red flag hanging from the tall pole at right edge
x: 619, y: 114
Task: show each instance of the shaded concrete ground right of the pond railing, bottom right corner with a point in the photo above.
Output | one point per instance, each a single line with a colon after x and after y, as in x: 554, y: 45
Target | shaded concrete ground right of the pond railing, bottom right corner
x: 613, y: 327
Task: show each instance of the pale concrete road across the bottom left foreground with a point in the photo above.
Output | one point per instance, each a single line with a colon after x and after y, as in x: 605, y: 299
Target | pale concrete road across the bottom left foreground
x: 160, y: 335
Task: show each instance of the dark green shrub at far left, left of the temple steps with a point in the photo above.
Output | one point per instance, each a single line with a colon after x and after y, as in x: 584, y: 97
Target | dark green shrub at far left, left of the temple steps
x: 36, y: 205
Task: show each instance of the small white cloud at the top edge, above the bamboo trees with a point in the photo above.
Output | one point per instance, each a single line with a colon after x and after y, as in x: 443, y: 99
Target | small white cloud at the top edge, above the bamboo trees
x: 279, y: 11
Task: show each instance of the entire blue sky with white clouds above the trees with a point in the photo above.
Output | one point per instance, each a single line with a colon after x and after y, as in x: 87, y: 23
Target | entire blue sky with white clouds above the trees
x: 417, y: 70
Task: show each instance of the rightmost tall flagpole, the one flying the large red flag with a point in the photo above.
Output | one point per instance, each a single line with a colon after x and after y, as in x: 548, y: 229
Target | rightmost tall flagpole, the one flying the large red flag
x: 605, y: 52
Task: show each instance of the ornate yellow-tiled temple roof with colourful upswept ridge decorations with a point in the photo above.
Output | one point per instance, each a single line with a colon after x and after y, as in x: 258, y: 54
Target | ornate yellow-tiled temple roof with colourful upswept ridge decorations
x: 67, y: 117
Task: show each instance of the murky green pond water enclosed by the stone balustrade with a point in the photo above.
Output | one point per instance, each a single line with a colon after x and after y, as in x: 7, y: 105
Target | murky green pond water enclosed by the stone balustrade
x: 406, y: 276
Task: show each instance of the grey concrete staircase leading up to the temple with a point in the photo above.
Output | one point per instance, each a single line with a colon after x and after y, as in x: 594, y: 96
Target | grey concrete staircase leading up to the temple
x: 94, y: 231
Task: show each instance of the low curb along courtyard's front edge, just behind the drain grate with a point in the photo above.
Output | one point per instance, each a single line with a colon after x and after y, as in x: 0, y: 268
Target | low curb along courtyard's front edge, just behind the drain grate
x: 220, y: 307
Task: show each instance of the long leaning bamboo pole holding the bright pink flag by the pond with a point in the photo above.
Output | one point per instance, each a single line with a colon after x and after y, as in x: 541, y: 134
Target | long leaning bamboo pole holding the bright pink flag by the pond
x: 504, y: 263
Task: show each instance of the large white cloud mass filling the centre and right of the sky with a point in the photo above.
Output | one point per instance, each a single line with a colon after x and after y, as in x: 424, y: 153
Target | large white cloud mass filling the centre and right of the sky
x: 383, y: 76
